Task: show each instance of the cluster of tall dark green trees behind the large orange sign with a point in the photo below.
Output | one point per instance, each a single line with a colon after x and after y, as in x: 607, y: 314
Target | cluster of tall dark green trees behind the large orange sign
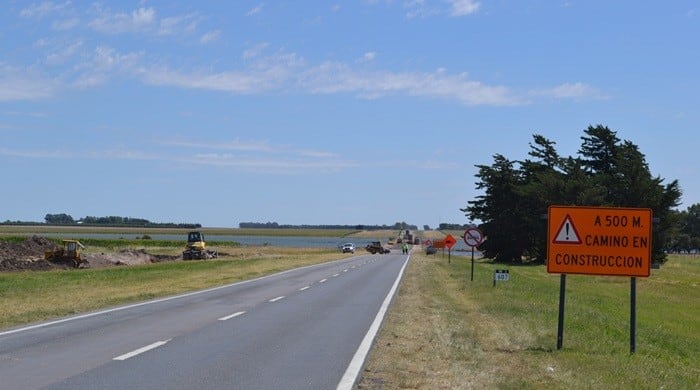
x: 607, y: 172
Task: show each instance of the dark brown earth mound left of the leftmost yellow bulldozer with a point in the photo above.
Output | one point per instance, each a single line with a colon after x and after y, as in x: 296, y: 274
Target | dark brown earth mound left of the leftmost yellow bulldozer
x: 27, y: 255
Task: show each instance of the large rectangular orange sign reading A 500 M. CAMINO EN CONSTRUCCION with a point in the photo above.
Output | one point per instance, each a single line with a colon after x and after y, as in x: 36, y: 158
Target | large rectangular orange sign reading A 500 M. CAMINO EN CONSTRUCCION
x: 599, y: 241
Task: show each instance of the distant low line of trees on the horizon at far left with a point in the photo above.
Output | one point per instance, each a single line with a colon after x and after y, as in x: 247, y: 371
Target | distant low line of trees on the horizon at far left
x: 111, y: 221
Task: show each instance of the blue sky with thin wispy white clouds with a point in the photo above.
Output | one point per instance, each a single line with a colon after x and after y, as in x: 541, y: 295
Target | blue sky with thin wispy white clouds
x: 315, y: 112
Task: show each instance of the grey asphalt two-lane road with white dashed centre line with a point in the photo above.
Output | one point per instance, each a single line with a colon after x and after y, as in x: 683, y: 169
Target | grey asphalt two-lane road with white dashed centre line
x: 308, y: 328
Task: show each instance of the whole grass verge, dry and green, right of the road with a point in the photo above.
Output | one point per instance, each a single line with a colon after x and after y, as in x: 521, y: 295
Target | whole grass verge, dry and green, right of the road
x: 445, y: 331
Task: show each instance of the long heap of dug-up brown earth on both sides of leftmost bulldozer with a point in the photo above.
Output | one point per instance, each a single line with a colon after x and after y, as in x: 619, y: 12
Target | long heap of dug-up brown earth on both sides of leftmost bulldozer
x: 29, y: 255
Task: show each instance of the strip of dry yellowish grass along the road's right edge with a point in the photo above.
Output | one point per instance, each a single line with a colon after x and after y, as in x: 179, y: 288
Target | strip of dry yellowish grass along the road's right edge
x: 428, y: 340
